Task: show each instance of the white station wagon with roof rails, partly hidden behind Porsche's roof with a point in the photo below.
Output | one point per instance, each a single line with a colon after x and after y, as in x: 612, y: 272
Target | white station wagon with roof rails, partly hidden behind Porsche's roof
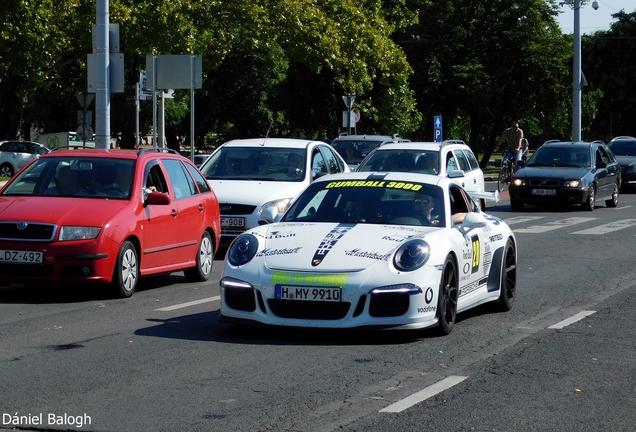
x: 451, y: 158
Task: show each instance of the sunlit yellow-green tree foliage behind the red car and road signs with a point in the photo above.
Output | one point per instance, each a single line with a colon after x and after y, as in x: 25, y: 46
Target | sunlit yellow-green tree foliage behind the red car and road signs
x: 264, y: 62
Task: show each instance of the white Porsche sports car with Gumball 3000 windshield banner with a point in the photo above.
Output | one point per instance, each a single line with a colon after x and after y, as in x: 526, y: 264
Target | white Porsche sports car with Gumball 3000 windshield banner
x: 375, y: 250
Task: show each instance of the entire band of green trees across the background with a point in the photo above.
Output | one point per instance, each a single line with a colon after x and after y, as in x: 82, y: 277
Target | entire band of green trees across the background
x: 282, y: 66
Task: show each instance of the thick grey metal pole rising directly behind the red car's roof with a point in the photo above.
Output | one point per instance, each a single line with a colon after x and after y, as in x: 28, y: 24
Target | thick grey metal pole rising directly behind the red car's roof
x: 102, y: 91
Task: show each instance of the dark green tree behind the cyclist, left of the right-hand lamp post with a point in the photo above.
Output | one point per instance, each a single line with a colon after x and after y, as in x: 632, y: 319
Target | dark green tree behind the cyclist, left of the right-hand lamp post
x: 481, y: 64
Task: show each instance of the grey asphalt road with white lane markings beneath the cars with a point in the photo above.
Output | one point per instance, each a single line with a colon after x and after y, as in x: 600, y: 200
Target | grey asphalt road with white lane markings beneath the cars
x: 563, y: 358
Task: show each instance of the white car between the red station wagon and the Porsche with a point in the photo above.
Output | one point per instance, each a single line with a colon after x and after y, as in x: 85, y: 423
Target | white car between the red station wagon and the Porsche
x: 250, y: 175
